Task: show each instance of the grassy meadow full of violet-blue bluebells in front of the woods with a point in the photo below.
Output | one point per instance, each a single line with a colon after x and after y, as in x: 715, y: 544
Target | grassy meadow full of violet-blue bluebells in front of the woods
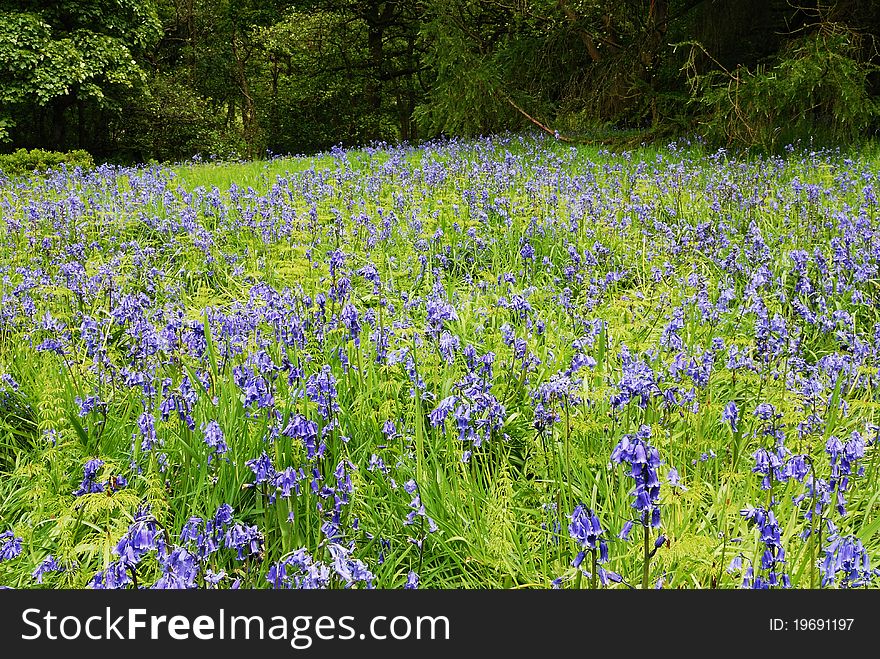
x: 500, y: 363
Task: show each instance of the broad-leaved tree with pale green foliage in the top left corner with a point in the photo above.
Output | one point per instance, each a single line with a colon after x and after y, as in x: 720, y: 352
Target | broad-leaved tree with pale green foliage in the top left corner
x: 58, y: 56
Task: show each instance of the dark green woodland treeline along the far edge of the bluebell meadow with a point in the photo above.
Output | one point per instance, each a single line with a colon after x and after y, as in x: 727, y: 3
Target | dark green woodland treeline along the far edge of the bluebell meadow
x: 133, y: 80
